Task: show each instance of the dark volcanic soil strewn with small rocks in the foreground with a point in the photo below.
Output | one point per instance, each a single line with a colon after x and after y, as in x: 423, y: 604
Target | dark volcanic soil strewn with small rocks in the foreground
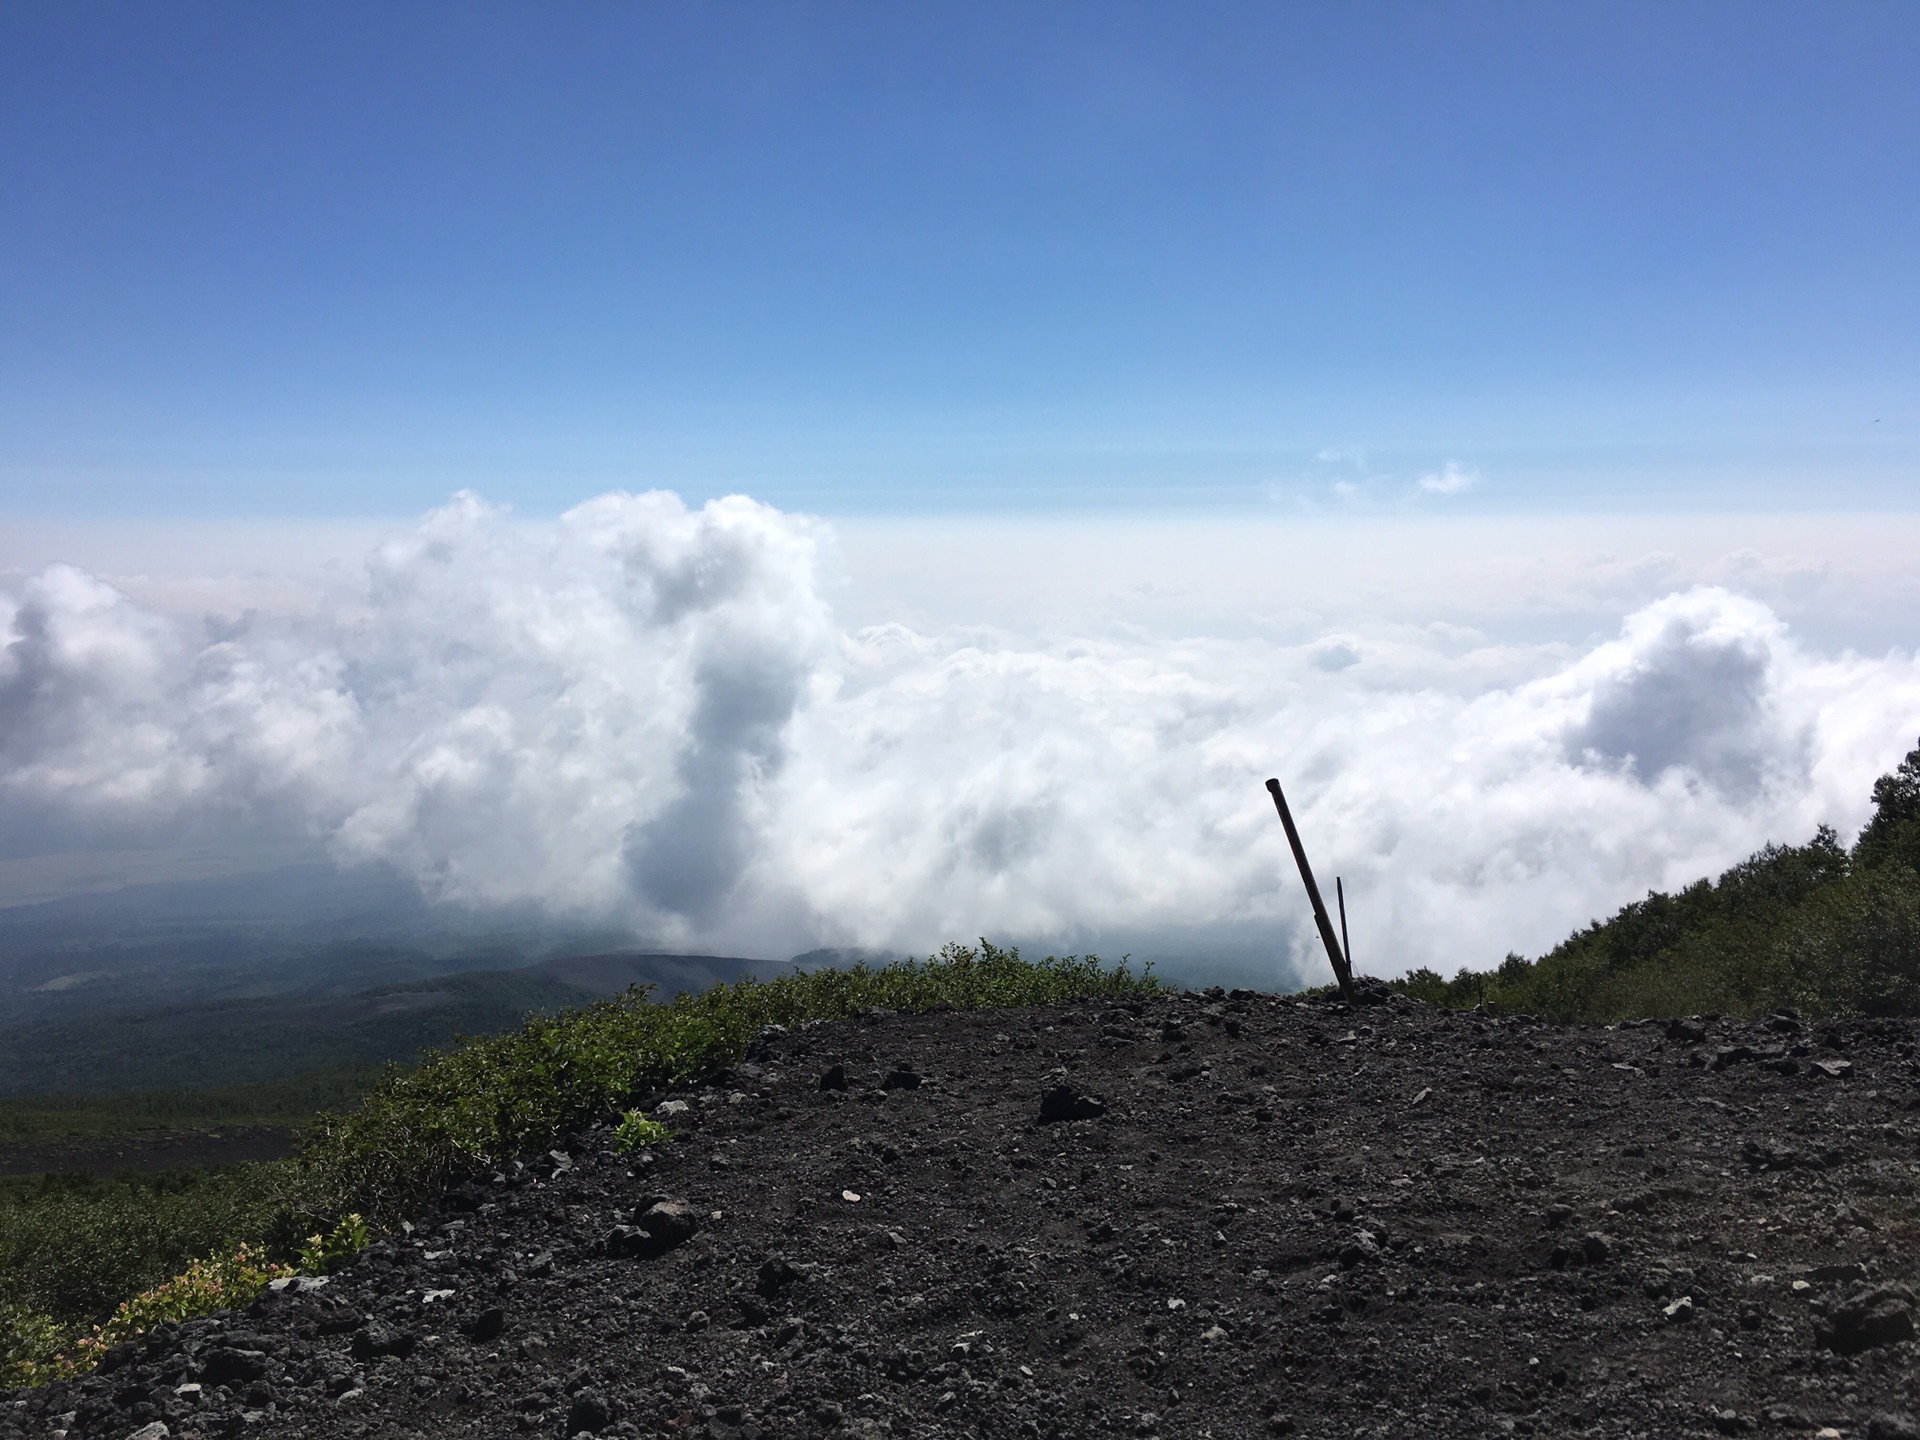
x: 1289, y: 1220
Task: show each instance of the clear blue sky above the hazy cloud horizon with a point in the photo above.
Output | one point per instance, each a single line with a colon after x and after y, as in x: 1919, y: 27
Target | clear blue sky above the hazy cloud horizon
x: 903, y: 260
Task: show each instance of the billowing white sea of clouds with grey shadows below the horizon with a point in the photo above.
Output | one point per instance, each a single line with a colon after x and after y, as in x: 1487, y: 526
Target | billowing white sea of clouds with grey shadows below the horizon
x: 686, y: 723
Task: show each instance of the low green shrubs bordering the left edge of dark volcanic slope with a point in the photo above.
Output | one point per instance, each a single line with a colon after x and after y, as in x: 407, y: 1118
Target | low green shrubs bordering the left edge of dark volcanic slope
x: 74, y: 1249
